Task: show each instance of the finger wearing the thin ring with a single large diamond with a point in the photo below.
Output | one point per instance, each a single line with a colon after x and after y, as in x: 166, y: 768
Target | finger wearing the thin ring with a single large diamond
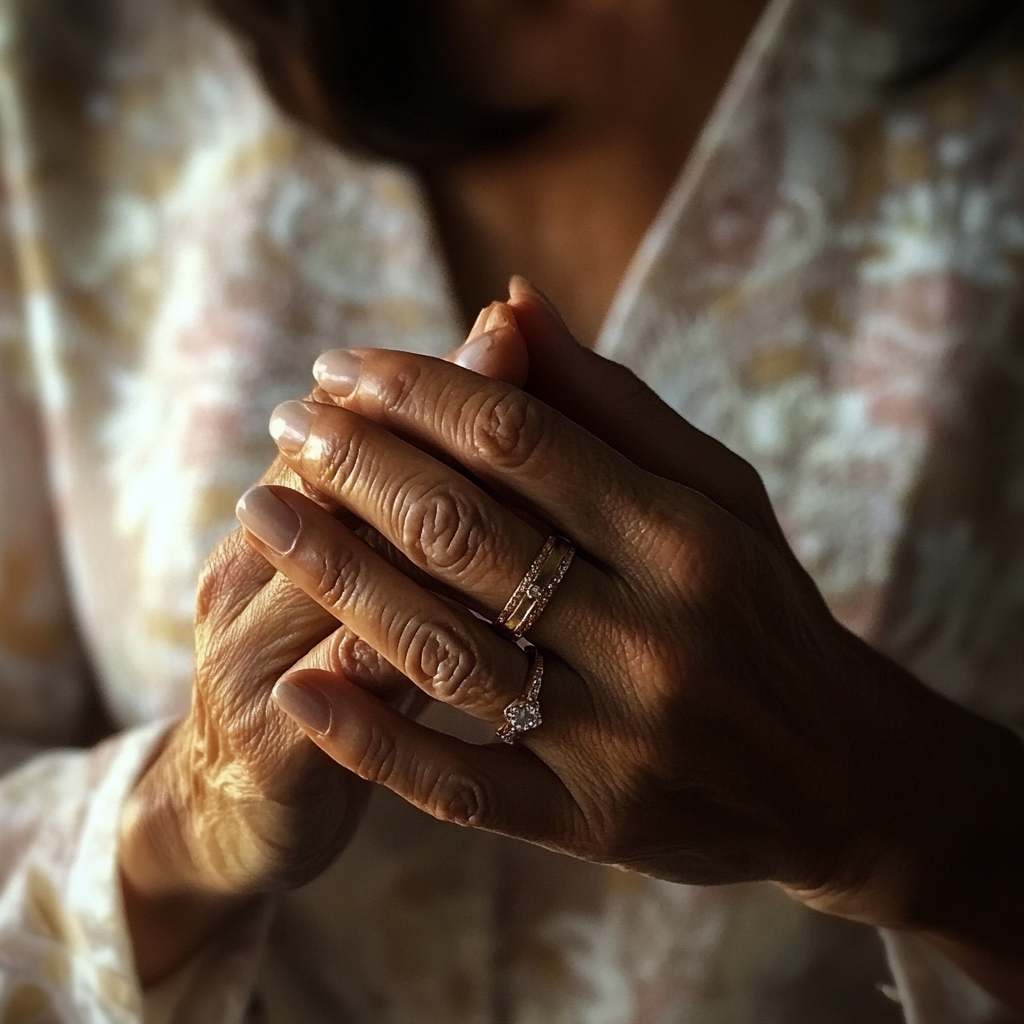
x: 439, y: 647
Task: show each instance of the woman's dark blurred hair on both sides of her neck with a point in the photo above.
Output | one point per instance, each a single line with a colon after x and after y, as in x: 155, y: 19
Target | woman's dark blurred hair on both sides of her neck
x: 375, y: 75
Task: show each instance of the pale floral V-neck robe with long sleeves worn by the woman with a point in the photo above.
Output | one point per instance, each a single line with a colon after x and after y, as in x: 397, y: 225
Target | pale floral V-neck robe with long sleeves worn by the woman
x: 832, y: 289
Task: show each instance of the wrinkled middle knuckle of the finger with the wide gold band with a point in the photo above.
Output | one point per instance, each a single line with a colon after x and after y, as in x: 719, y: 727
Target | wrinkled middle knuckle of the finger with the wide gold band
x: 446, y: 530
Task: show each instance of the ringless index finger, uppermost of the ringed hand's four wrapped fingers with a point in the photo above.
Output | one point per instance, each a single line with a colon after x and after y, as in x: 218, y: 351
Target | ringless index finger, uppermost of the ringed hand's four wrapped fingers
x: 503, y: 436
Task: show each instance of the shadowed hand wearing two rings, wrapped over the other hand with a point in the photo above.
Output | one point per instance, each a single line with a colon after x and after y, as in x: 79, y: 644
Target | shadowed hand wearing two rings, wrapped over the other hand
x: 706, y: 719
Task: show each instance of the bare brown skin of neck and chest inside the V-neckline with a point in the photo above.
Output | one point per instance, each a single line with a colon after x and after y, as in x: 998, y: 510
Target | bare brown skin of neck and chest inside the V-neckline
x: 631, y: 84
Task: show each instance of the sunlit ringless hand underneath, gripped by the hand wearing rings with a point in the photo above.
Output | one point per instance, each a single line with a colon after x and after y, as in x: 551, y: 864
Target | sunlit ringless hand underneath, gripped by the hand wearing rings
x: 239, y: 802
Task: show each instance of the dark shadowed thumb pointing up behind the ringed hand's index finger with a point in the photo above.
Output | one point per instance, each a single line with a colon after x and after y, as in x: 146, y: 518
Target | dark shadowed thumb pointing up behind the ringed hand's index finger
x: 615, y: 405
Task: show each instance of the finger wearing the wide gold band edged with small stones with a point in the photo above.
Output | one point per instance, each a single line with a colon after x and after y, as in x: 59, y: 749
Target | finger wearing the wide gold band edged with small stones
x: 443, y: 522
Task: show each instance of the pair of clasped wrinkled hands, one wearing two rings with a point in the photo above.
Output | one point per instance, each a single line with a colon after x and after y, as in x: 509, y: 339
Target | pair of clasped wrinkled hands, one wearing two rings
x: 706, y: 719
